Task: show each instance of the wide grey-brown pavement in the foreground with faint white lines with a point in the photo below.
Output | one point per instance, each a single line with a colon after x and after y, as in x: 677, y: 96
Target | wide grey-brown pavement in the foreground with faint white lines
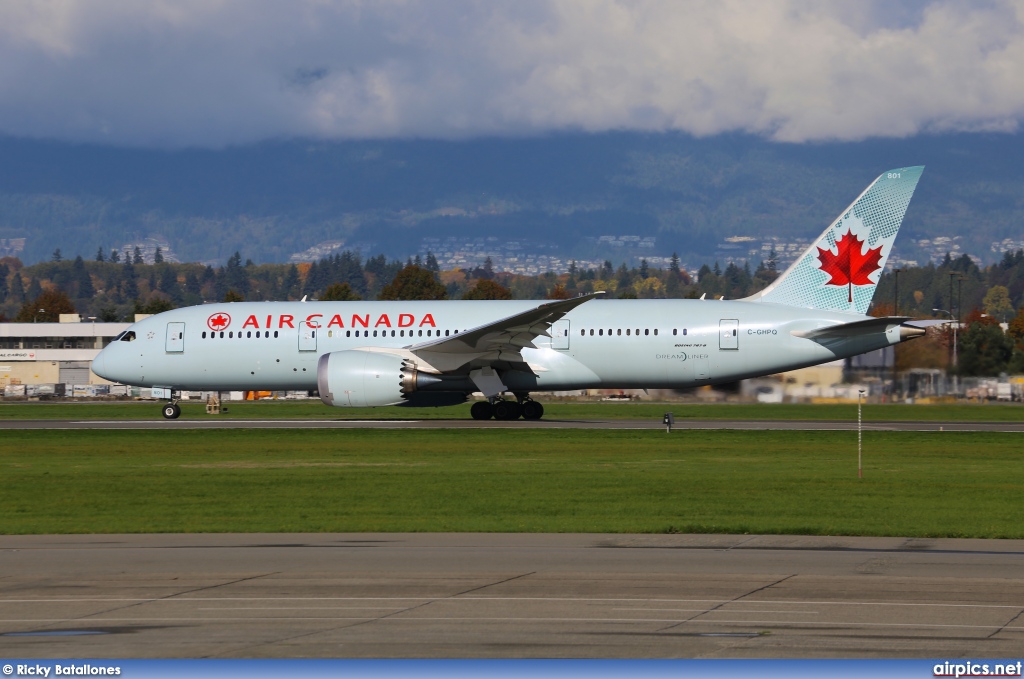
x: 466, y: 596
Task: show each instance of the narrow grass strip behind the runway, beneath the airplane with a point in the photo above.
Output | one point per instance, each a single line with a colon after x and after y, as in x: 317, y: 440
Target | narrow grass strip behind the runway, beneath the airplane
x: 562, y: 411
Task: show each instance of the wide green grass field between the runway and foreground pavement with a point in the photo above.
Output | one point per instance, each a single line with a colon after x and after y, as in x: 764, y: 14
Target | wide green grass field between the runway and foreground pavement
x: 917, y: 485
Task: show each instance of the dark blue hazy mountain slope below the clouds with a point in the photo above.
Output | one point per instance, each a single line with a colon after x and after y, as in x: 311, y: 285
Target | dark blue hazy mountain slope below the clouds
x: 563, y: 193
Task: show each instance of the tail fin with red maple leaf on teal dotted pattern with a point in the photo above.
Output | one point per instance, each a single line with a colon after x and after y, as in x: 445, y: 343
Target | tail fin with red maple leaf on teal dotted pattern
x: 840, y: 272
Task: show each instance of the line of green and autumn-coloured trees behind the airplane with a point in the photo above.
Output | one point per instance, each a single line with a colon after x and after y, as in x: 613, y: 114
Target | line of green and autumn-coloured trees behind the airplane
x: 115, y: 287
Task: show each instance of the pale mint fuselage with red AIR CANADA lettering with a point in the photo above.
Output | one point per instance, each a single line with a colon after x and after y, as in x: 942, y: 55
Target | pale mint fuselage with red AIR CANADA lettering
x: 600, y: 345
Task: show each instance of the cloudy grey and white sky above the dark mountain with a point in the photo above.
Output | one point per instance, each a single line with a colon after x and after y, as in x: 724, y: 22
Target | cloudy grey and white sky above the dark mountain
x: 211, y: 73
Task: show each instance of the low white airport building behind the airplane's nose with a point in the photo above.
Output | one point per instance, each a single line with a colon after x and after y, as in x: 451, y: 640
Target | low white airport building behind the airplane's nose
x: 53, y: 354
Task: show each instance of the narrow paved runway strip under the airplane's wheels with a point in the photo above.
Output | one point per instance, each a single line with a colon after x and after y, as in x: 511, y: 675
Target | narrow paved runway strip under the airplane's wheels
x: 806, y: 426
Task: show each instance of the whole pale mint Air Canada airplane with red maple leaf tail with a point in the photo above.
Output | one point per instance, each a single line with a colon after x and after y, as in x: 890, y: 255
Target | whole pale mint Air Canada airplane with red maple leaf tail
x: 435, y: 354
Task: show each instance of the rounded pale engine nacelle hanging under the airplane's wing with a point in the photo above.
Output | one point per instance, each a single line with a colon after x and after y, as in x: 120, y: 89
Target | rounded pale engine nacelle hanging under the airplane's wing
x: 365, y: 379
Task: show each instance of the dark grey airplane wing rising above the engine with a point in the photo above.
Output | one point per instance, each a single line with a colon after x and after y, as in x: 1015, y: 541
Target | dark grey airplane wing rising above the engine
x: 497, y: 345
